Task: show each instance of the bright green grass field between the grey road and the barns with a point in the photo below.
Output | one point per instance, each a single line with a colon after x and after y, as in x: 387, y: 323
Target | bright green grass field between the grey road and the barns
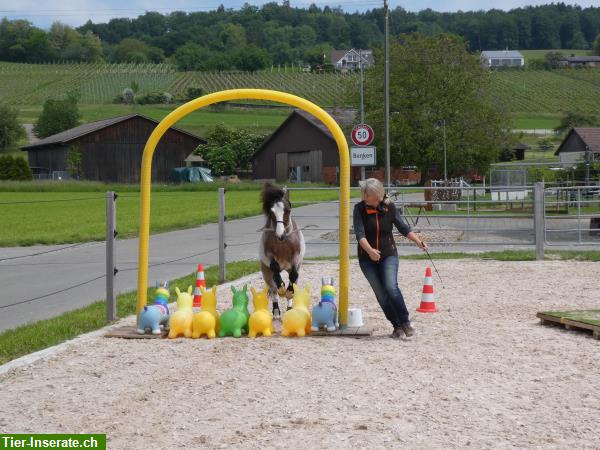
x: 30, y: 218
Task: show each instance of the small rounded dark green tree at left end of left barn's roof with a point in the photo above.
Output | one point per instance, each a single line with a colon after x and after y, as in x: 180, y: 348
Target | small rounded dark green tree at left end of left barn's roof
x: 57, y: 116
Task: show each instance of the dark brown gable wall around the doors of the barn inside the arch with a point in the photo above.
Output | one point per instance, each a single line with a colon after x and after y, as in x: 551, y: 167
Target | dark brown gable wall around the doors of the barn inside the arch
x: 298, y: 136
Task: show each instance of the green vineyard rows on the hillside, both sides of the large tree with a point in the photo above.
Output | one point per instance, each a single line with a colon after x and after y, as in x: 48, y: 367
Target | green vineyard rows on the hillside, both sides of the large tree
x: 525, y: 91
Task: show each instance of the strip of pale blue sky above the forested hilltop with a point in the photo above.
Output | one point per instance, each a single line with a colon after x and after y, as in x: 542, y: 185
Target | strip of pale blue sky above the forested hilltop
x: 76, y: 12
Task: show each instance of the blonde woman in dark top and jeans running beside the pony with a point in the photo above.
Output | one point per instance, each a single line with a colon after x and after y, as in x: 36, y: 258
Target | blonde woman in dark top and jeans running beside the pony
x: 374, y: 218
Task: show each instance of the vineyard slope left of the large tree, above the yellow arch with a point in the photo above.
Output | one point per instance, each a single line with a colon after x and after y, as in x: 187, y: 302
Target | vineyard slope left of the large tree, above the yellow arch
x: 29, y: 84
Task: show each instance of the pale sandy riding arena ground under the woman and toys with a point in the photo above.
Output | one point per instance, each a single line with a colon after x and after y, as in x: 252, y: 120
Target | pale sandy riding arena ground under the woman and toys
x: 481, y: 373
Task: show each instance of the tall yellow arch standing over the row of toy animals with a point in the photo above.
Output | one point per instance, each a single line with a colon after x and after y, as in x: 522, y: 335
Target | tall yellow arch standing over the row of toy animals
x: 237, y: 94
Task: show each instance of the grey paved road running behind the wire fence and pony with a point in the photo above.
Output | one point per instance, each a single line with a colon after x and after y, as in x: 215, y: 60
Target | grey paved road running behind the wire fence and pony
x: 45, y: 276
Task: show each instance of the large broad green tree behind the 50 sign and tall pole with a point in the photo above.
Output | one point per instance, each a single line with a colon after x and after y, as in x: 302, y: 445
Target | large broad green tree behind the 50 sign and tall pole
x: 434, y: 82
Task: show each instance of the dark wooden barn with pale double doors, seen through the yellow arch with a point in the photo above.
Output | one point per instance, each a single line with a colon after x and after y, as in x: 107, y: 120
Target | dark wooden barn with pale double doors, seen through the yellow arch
x: 301, y: 149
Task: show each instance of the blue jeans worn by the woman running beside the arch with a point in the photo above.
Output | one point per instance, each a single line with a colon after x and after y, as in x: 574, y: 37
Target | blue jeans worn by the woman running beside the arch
x: 383, y: 278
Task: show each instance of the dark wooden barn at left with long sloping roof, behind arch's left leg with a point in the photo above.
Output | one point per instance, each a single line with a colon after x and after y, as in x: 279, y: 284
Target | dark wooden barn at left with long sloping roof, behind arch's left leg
x: 111, y: 150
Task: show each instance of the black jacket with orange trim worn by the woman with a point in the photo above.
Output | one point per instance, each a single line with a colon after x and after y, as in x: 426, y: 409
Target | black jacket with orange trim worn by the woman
x: 376, y: 224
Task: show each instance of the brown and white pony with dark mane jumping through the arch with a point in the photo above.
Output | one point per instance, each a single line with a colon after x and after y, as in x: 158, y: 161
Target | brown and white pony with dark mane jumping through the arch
x: 282, y: 245
